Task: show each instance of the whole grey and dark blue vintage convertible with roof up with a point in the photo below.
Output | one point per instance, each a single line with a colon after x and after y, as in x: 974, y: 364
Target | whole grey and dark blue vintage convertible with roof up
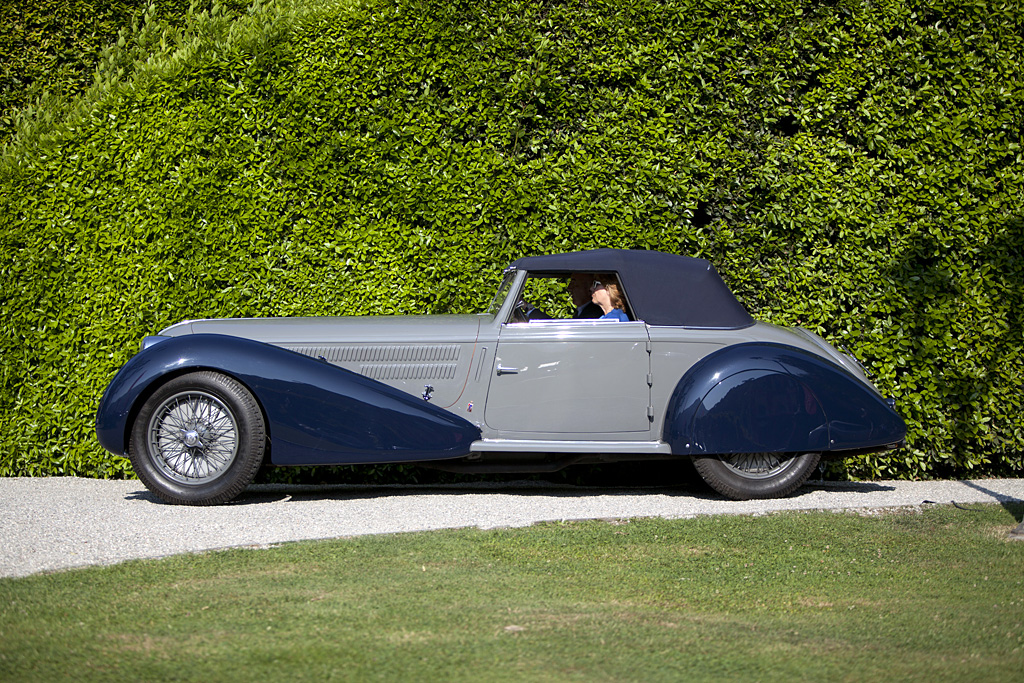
x: 513, y: 390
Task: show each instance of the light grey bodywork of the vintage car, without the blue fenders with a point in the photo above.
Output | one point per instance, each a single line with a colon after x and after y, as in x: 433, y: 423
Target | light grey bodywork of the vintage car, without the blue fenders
x: 549, y: 387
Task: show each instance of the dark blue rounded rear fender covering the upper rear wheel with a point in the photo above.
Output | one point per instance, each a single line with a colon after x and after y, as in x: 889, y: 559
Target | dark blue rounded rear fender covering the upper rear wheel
x: 766, y: 398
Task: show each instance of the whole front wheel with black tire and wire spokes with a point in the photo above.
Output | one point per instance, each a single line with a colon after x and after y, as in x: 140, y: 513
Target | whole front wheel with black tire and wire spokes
x: 199, y: 440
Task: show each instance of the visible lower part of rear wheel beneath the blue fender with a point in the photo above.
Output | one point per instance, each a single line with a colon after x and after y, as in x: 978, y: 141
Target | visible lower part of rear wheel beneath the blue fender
x: 752, y: 476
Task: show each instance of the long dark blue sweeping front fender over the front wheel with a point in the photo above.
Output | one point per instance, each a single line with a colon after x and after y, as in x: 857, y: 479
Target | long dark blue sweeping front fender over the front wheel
x: 318, y: 414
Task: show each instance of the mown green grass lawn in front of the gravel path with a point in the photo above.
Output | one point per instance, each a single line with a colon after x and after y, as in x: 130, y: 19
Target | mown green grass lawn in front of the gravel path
x: 929, y: 594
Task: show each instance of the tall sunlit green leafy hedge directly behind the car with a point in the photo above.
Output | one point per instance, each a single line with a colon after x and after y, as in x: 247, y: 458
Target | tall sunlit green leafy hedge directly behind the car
x: 855, y: 167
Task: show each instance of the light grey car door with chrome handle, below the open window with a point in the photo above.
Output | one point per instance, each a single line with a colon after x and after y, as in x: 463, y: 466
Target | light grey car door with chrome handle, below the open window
x: 571, y: 379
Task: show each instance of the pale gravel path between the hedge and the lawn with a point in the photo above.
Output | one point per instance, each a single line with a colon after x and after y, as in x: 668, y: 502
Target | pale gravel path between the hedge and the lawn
x: 58, y: 524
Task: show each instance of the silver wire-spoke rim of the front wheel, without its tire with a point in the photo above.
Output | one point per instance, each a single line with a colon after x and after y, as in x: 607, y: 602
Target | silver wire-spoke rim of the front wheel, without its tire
x: 194, y: 437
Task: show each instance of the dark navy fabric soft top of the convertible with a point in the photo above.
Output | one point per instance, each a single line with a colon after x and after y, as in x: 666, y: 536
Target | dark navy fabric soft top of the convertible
x: 663, y: 289
